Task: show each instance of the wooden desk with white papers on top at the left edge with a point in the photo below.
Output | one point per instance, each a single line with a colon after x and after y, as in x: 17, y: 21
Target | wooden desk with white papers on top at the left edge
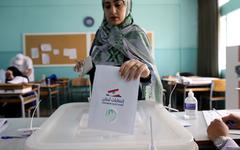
x: 11, y: 93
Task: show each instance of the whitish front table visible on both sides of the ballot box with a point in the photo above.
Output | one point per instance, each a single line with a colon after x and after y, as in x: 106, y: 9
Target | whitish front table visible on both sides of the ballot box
x: 198, y: 129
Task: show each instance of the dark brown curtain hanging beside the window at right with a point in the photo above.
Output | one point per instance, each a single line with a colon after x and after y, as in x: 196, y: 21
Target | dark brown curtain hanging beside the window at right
x: 208, y: 22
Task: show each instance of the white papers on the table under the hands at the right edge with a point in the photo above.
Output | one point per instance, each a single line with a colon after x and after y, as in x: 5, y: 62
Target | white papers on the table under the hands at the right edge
x: 218, y: 114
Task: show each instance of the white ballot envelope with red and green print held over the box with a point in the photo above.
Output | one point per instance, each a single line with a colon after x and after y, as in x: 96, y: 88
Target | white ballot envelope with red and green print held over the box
x: 113, y: 103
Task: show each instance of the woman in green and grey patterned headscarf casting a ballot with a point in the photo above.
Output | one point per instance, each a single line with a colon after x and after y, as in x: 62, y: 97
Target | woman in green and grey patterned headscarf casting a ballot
x: 119, y: 42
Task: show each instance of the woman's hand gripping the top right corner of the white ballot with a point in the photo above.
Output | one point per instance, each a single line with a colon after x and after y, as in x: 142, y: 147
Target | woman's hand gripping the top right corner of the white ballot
x: 133, y: 69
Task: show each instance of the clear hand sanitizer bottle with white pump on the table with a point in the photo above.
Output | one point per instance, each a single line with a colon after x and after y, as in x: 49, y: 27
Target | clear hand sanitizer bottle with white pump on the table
x: 190, y: 106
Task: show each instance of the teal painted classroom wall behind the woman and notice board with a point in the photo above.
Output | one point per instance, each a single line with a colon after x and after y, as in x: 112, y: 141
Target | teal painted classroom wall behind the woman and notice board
x: 174, y: 23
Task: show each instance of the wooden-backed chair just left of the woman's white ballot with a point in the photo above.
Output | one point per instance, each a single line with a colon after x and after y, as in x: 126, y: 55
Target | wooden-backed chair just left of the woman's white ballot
x: 81, y: 88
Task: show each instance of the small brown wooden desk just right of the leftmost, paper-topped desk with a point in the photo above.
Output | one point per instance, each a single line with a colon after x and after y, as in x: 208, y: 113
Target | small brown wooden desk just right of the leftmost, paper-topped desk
x: 50, y: 90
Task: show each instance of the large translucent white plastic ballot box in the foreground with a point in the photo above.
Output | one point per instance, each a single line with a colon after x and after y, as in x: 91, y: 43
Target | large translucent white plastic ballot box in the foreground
x: 67, y: 129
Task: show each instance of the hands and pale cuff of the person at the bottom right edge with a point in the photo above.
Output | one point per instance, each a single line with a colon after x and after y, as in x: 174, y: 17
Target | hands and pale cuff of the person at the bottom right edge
x: 218, y: 132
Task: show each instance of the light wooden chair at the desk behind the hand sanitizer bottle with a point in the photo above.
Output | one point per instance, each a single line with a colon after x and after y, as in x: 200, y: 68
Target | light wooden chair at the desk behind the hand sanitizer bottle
x: 217, y: 91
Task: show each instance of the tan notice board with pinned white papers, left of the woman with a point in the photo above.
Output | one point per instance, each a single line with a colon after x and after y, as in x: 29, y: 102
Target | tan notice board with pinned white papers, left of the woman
x: 55, y: 49
